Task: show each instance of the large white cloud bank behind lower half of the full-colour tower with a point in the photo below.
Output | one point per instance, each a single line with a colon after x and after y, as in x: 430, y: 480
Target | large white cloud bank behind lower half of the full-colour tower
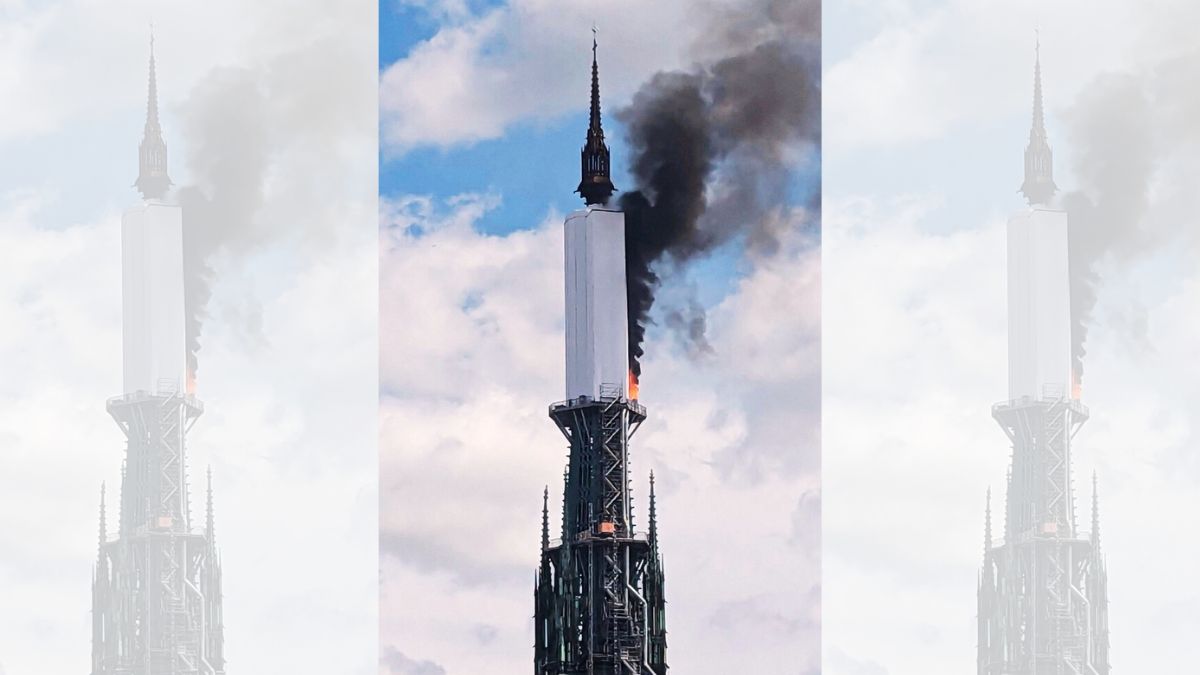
x: 467, y: 447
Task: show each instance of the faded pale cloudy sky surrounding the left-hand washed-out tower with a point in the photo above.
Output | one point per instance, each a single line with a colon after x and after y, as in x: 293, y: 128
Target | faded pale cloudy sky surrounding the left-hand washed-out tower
x: 284, y: 92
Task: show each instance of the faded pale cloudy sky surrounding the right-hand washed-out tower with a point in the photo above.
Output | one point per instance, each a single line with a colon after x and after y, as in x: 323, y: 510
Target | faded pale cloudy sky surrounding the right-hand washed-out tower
x: 927, y: 117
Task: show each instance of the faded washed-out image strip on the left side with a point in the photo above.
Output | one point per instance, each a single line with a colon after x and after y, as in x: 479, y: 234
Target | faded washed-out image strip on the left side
x: 188, y: 300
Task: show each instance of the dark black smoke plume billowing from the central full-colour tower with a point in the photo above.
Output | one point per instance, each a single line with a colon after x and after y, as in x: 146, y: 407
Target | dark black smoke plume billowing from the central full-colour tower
x: 712, y: 153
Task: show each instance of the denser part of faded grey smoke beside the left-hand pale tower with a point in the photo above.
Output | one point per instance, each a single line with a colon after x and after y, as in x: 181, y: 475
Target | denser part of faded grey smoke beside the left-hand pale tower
x: 227, y: 128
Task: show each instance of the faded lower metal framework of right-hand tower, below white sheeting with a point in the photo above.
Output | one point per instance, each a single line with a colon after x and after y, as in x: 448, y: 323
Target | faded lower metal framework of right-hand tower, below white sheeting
x: 1043, y: 590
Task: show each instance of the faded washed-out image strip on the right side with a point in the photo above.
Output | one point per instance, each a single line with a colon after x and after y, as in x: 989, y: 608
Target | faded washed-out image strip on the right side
x: 1010, y: 399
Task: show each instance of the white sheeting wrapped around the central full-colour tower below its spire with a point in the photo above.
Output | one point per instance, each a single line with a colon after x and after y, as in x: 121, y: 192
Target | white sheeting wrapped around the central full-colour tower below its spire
x: 597, y: 320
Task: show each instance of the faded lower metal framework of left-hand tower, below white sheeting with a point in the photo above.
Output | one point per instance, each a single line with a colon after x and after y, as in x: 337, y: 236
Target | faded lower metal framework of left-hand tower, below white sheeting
x: 157, y: 593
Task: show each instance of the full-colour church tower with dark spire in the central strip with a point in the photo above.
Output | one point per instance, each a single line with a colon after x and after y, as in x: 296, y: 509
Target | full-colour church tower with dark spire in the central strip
x: 599, y: 606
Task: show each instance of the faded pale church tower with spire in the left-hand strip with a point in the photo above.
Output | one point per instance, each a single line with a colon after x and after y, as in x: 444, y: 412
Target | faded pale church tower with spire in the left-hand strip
x: 157, y: 590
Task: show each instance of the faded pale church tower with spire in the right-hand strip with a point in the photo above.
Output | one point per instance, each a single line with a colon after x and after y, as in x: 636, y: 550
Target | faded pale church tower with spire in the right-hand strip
x: 1043, y: 590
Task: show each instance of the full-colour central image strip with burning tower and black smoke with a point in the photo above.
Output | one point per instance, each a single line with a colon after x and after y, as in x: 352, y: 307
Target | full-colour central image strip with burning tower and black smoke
x: 599, y: 411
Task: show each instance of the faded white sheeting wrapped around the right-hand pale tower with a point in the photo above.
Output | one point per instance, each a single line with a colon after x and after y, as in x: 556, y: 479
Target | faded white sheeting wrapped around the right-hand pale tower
x: 1039, y: 306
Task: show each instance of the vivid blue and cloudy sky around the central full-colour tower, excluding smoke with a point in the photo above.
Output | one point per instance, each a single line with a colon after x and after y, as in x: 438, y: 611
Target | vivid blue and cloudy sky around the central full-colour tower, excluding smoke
x: 483, y: 111
